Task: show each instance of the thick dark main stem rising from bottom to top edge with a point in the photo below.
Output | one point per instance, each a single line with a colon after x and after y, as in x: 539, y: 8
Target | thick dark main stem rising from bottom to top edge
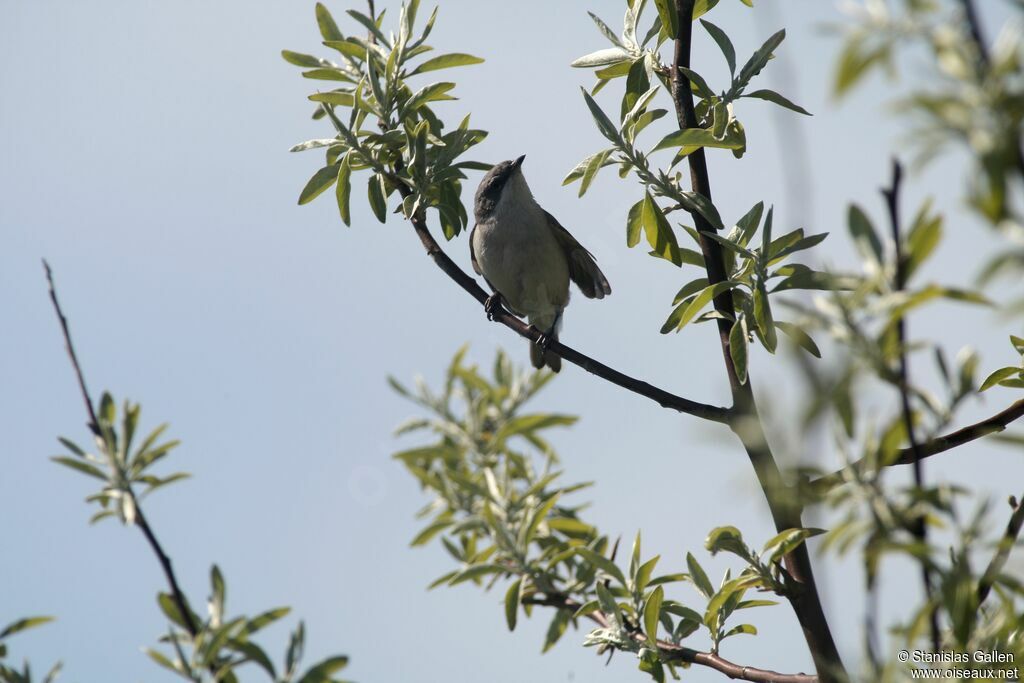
x: 783, y: 500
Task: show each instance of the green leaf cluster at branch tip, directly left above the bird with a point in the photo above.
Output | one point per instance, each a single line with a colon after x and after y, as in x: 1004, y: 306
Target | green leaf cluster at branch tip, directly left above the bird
x: 391, y: 130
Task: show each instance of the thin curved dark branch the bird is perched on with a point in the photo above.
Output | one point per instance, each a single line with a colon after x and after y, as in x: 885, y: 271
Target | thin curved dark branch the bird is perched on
x: 661, y: 397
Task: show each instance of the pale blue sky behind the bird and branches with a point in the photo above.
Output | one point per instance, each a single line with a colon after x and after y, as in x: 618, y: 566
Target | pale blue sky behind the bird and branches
x: 145, y: 155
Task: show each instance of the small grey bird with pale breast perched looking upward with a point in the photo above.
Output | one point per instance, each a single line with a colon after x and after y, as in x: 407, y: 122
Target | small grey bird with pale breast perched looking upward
x: 528, y: 258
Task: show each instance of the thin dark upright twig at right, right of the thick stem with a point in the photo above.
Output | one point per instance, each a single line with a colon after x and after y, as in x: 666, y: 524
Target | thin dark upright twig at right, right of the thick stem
x: 918, y: 528
